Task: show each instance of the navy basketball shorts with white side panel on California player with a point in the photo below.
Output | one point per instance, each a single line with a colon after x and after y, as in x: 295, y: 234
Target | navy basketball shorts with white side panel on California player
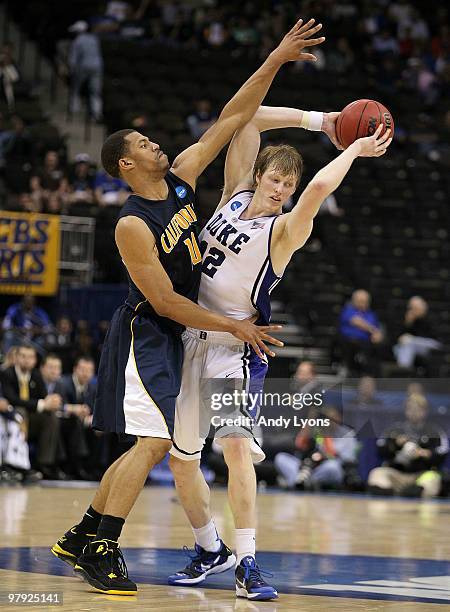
x: 139, y: 376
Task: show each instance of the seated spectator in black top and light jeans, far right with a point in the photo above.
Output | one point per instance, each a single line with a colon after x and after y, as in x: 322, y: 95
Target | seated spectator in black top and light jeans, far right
x: 417, y: 337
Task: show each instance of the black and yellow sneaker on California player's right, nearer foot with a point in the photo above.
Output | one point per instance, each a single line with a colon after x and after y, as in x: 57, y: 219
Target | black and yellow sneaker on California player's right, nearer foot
x: 102, y: 565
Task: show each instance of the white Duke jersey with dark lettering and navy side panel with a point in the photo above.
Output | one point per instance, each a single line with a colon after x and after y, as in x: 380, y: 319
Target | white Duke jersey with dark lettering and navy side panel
x: 237, y: 274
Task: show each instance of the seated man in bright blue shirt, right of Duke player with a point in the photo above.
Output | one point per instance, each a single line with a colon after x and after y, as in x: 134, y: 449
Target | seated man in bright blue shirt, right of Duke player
x: 360, y: 335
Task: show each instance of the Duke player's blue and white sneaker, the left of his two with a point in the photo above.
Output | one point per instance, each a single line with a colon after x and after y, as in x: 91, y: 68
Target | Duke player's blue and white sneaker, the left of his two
x: 202, y: 564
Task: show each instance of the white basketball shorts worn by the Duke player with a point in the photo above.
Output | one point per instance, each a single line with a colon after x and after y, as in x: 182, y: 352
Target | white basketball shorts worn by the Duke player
x: 209, y: 356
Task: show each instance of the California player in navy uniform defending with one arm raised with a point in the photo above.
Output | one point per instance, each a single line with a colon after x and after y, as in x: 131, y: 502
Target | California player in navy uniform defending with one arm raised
x: 140, y: 368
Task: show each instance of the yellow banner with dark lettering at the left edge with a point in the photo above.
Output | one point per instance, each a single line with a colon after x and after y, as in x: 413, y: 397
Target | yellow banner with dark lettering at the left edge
x: 29, y: 253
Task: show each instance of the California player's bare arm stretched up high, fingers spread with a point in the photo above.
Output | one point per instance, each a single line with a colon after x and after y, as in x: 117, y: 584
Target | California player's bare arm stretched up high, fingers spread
x: 241, y: 108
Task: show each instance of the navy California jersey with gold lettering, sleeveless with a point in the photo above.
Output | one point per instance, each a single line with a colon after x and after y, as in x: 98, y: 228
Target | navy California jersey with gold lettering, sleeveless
x: 173, y: 222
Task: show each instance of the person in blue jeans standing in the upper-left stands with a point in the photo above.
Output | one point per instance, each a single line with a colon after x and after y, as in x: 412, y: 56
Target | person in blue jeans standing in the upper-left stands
x: 86, y: 70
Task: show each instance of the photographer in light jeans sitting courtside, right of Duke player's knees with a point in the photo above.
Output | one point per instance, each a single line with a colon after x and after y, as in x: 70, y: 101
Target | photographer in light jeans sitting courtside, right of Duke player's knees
x: 320, y: 461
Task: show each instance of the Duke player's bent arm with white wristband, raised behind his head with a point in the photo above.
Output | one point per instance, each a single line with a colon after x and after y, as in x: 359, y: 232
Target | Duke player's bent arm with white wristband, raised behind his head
x: 244, y: 147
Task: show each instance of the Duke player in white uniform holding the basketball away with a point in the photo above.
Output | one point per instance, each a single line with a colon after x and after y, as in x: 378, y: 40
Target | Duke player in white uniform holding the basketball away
x: 247, y: 245
